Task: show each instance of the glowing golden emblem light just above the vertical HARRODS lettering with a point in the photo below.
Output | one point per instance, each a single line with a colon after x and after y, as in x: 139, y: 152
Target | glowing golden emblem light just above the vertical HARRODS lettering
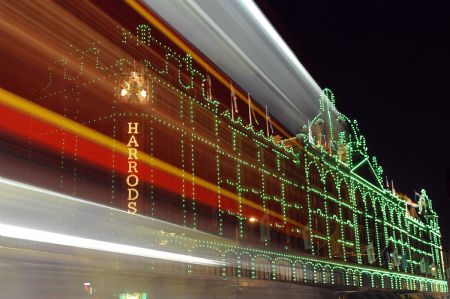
x: 134, y: 88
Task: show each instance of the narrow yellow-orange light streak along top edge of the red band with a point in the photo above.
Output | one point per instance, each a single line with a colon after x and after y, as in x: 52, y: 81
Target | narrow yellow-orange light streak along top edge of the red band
x: 18, y: 103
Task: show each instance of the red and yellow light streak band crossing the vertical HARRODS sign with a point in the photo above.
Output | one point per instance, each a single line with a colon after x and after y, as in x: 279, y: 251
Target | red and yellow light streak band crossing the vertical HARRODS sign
x: 98, y: 147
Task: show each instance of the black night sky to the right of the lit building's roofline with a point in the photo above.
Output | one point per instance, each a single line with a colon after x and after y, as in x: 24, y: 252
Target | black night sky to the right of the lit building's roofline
x: 388, y: 64
